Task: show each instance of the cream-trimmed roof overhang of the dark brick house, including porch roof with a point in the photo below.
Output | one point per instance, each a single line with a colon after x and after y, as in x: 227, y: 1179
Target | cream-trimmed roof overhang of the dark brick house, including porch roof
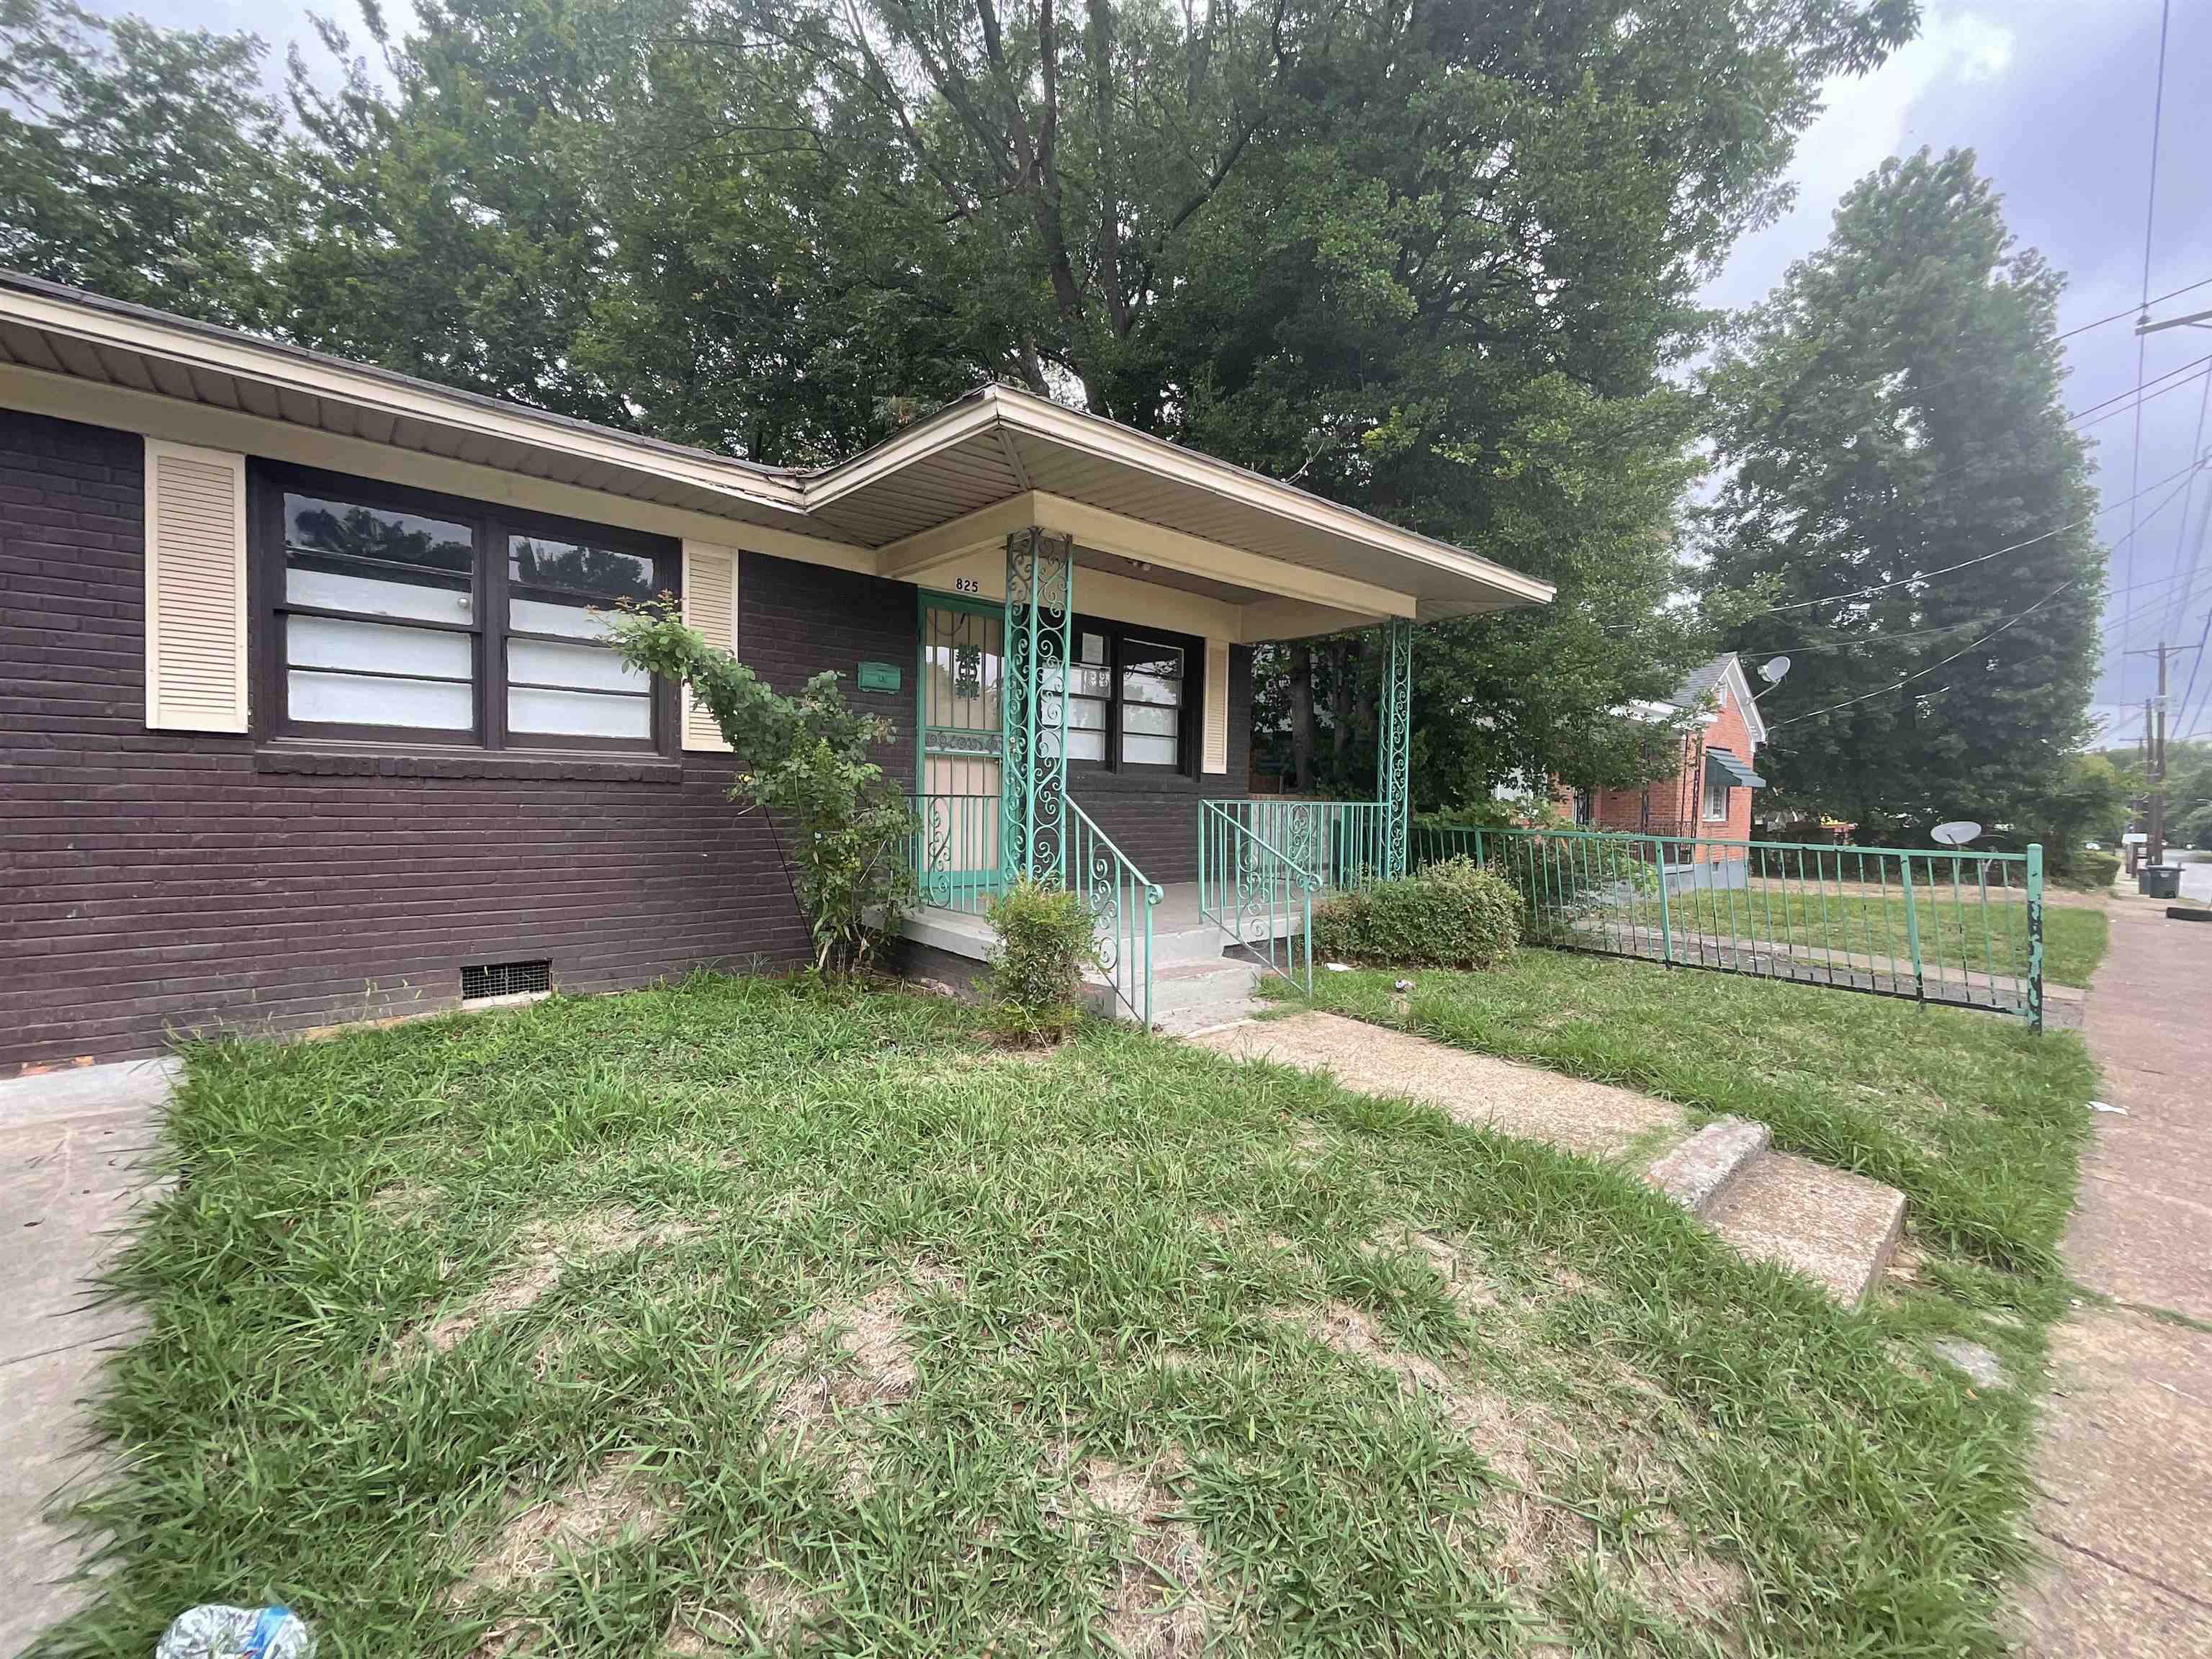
x: 988, y: 463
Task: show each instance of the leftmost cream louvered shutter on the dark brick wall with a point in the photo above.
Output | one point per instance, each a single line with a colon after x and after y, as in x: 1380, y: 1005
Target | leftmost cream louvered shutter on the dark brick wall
x: 196, y: 589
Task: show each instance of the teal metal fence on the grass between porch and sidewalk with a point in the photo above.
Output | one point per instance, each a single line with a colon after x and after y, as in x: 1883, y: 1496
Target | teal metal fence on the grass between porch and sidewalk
x: 1926, y: 924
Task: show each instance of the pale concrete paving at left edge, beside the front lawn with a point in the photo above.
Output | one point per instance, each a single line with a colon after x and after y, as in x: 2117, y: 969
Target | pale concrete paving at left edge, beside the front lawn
x: 72, y: 1169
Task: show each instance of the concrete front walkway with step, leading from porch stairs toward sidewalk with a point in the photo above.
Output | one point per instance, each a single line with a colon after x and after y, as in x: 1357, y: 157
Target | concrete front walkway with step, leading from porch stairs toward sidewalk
x: 1833, y: 1227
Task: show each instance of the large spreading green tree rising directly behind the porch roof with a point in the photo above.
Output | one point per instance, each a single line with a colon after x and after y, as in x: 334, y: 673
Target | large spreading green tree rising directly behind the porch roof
x: 1428, y: 260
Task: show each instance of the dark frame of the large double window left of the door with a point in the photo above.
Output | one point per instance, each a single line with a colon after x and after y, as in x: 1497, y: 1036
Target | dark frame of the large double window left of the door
x: 490, y: 634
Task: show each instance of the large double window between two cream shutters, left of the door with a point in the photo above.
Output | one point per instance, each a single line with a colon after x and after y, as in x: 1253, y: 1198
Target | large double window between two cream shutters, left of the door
x: 410, y: 618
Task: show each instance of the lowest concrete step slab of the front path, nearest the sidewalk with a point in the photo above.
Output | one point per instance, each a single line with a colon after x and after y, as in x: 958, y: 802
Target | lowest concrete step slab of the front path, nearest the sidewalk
x: 1833, y: 1227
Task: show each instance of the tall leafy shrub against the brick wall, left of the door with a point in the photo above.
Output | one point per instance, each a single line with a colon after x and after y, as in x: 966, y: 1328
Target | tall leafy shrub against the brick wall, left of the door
x: 804, y: 762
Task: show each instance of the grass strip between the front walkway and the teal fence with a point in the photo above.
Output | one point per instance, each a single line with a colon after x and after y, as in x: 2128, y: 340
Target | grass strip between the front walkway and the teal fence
x: 1972, y: 1116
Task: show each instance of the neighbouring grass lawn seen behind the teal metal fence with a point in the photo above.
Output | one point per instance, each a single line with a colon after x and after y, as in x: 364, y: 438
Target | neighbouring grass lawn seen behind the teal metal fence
x: 1957, y: 935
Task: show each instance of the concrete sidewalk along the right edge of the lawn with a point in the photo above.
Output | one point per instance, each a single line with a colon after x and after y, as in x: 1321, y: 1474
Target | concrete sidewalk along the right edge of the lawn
x: 2127, y: 1437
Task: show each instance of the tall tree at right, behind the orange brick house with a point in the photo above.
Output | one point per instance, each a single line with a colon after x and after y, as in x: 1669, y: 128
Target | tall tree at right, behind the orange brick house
x: 1888, y: 415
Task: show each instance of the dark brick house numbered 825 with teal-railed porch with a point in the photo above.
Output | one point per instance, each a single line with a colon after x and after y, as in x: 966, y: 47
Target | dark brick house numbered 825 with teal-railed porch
x: 309, y: 716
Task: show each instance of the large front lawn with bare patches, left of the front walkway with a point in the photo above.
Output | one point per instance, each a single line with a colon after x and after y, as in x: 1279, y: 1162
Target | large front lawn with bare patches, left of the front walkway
x: 747, y: 1315
